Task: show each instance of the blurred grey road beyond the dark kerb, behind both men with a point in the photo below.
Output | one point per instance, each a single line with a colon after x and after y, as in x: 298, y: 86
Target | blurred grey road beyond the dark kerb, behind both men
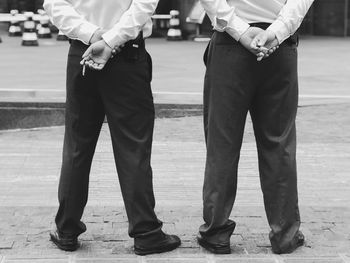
x: 38, y: 73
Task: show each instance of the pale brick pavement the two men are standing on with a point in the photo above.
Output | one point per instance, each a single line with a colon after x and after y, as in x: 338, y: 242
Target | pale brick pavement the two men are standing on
x: 30, y: 164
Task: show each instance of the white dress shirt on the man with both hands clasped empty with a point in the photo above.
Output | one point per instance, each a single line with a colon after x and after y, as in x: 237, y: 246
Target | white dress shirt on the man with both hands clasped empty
x: 234, y: 16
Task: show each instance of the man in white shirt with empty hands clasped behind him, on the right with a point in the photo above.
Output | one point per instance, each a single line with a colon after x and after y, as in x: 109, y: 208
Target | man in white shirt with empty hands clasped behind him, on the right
x: 244, y: 74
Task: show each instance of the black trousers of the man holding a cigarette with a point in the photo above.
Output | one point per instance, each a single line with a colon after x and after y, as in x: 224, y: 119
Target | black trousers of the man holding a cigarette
x: 122, y: 92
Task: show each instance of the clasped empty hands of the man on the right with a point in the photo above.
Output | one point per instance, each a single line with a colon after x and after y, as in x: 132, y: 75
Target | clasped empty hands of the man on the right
x: 261, y: 43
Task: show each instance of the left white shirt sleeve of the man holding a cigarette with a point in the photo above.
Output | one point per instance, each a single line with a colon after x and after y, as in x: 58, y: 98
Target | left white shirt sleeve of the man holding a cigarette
x: 69, y: 21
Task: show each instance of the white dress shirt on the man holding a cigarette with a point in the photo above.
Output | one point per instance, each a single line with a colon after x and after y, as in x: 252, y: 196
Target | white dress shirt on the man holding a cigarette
x: 124, y: 19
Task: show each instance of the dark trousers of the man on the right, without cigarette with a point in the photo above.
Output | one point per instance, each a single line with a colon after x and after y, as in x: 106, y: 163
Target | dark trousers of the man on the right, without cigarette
x: 236, y: 83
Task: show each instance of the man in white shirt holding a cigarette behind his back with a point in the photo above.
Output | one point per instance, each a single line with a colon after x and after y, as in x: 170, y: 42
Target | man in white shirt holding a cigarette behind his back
x: 122, y: 92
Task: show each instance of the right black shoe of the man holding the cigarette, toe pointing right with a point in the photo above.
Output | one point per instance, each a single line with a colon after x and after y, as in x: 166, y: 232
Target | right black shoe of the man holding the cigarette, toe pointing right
x: 164, y: 243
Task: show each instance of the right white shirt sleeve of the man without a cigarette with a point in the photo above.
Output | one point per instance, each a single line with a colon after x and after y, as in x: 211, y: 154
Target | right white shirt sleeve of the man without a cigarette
x: 290, y: 18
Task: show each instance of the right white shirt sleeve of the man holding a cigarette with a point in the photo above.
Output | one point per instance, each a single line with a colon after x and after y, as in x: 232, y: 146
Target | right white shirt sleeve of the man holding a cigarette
x: 131, y: 22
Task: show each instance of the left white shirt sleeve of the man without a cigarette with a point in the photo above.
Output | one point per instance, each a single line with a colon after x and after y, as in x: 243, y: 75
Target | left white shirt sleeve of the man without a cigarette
x: 224, y: 18
